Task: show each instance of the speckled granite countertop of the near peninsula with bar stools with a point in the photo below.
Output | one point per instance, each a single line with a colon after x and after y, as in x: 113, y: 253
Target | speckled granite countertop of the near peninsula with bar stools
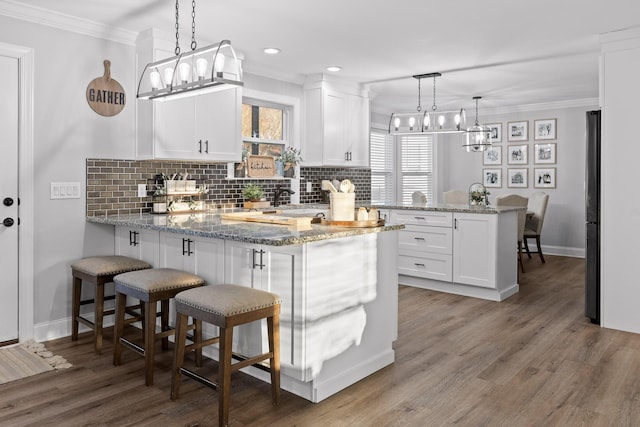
x: 210, y: 224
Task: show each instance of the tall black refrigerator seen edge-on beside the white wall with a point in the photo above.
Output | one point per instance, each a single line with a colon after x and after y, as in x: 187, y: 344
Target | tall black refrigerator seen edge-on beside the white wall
x: 592, y: 200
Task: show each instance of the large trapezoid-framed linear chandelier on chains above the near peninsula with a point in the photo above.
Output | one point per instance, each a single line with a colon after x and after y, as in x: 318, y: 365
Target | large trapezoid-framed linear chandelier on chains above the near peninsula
x: 191, y: 73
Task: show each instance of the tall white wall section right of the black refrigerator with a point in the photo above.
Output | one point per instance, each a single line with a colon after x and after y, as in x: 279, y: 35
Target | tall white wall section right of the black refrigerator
x: 620, y: 214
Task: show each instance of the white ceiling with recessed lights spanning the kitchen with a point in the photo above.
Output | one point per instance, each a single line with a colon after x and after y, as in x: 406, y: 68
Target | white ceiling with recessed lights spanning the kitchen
x: 511, y: 52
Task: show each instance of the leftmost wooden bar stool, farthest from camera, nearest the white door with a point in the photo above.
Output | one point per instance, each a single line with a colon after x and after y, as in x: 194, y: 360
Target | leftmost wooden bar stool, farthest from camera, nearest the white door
x: 98, y: 271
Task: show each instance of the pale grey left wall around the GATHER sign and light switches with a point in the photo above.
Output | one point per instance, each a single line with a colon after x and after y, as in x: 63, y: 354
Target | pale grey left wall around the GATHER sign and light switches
x: 66, y: 132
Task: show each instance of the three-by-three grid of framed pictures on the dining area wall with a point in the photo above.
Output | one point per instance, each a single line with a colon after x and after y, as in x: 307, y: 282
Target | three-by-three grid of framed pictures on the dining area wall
x: 522, y: 156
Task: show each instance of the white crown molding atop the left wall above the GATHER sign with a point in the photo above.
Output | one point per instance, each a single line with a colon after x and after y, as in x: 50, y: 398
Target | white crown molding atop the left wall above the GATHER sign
x: 66, y: 22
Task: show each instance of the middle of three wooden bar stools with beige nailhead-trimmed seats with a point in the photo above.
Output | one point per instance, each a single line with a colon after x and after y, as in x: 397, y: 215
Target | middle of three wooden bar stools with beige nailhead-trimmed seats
x: 150, y: 287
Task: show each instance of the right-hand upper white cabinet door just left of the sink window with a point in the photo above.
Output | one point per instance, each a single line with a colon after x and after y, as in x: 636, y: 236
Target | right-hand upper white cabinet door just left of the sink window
x: 218, y: 125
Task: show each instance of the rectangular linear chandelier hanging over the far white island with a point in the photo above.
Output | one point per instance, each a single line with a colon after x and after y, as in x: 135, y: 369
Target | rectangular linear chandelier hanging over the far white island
x: 423, y: 122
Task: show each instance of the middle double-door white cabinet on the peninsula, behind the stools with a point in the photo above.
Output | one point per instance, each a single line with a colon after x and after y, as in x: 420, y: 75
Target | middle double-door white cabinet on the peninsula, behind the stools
x: 198, y: 255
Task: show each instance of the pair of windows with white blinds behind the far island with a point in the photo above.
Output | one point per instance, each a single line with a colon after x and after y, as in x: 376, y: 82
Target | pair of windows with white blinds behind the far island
x: 400, y: 167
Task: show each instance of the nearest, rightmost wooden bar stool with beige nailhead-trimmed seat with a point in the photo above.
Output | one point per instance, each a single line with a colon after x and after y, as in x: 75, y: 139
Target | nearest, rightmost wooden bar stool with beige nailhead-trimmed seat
x: 227, y: 306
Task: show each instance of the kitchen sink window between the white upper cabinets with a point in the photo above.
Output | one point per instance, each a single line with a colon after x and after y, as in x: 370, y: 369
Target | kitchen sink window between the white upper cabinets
x: 264, y: 127
